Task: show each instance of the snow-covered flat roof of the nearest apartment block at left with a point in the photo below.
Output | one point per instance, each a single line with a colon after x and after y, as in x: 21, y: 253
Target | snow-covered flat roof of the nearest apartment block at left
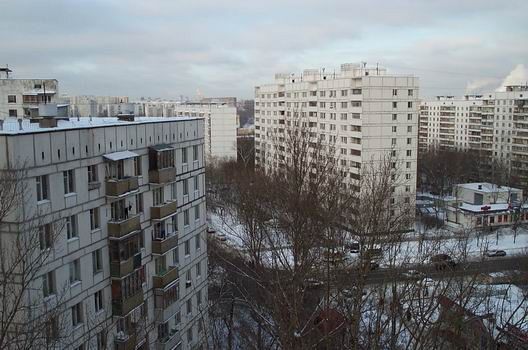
x: 11, y: 127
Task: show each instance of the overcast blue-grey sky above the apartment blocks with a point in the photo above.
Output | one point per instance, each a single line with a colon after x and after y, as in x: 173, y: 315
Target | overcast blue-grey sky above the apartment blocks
x: 168, y: 48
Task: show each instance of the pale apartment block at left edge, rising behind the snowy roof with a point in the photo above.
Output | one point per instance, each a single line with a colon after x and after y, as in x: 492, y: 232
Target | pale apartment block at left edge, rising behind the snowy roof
x: 20, y: 98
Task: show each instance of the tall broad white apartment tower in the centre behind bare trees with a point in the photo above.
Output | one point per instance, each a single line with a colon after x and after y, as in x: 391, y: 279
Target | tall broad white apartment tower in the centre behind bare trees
x: 365, y: 113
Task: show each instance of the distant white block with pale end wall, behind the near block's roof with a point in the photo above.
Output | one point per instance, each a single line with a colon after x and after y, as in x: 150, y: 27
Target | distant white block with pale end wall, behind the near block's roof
x: 221, y: 123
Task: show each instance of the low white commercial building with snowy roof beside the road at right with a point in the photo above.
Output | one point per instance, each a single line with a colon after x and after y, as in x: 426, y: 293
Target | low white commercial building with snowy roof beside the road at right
x: 485, y: 205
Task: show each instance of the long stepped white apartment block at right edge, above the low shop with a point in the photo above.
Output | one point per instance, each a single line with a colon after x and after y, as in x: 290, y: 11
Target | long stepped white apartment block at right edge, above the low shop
x: 493, y: 124
